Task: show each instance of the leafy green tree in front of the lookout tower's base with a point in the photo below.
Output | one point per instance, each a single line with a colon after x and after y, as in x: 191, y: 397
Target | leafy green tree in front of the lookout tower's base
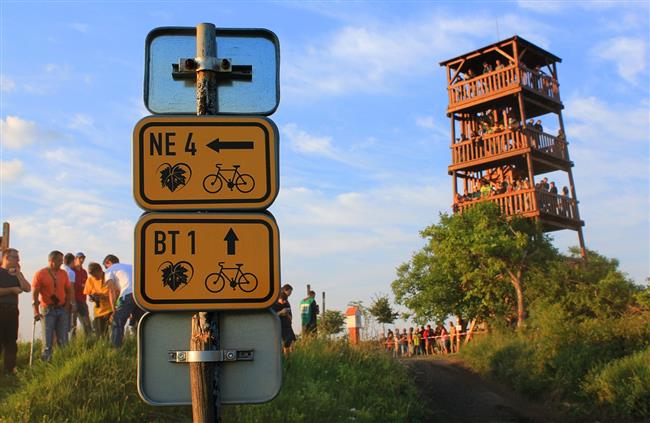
x: 475, y: 263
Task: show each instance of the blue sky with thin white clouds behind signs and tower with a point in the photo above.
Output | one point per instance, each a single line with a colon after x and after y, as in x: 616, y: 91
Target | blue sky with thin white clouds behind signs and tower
x: 363, y: 132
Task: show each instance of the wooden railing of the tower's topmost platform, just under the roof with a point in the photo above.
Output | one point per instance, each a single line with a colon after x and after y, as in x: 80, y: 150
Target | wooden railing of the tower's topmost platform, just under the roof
x: 502, y: 79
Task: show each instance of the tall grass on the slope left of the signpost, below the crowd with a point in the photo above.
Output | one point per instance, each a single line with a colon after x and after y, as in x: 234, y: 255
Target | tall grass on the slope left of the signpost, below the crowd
x: 88, y: 381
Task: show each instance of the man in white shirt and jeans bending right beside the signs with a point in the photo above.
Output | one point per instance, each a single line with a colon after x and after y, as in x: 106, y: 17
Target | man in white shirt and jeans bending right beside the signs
x: 119, y: 279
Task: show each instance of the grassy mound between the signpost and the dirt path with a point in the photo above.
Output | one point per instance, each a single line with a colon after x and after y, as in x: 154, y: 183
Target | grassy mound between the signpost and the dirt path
x: 331, y: 381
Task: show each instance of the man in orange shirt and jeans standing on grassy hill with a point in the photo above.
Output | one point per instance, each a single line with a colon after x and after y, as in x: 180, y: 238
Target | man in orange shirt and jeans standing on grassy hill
x: 53, y: 292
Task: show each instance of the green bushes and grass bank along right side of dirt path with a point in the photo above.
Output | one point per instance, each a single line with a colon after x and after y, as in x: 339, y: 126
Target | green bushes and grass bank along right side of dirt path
x: 581, y: 364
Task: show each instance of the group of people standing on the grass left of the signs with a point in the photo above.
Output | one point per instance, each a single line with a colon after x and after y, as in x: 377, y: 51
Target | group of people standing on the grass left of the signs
x: 60, y: 292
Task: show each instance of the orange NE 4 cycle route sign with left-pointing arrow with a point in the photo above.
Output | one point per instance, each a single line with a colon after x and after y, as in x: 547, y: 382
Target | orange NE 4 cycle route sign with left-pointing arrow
x: 205, y: 162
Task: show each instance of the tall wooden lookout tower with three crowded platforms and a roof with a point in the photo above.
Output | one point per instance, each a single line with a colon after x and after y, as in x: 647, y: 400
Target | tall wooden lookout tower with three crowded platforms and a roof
x: 500, y: 98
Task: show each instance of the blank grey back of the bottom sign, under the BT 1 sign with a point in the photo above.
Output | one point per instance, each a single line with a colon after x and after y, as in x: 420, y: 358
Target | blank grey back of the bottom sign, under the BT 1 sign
x: 165, y: 381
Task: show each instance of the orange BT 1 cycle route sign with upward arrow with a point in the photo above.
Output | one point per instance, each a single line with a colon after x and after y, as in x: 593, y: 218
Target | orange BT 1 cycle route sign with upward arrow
x: 206, y: 261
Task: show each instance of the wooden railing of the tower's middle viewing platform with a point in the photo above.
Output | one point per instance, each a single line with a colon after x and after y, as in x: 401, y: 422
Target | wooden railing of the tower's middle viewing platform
x: 490, y: 145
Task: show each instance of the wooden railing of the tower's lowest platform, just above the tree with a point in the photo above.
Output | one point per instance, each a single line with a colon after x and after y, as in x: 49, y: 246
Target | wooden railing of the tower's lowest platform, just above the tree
x: 529, y: 201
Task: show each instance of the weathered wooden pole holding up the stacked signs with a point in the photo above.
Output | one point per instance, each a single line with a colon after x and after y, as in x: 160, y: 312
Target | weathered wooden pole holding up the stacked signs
x: 204, y: 376
